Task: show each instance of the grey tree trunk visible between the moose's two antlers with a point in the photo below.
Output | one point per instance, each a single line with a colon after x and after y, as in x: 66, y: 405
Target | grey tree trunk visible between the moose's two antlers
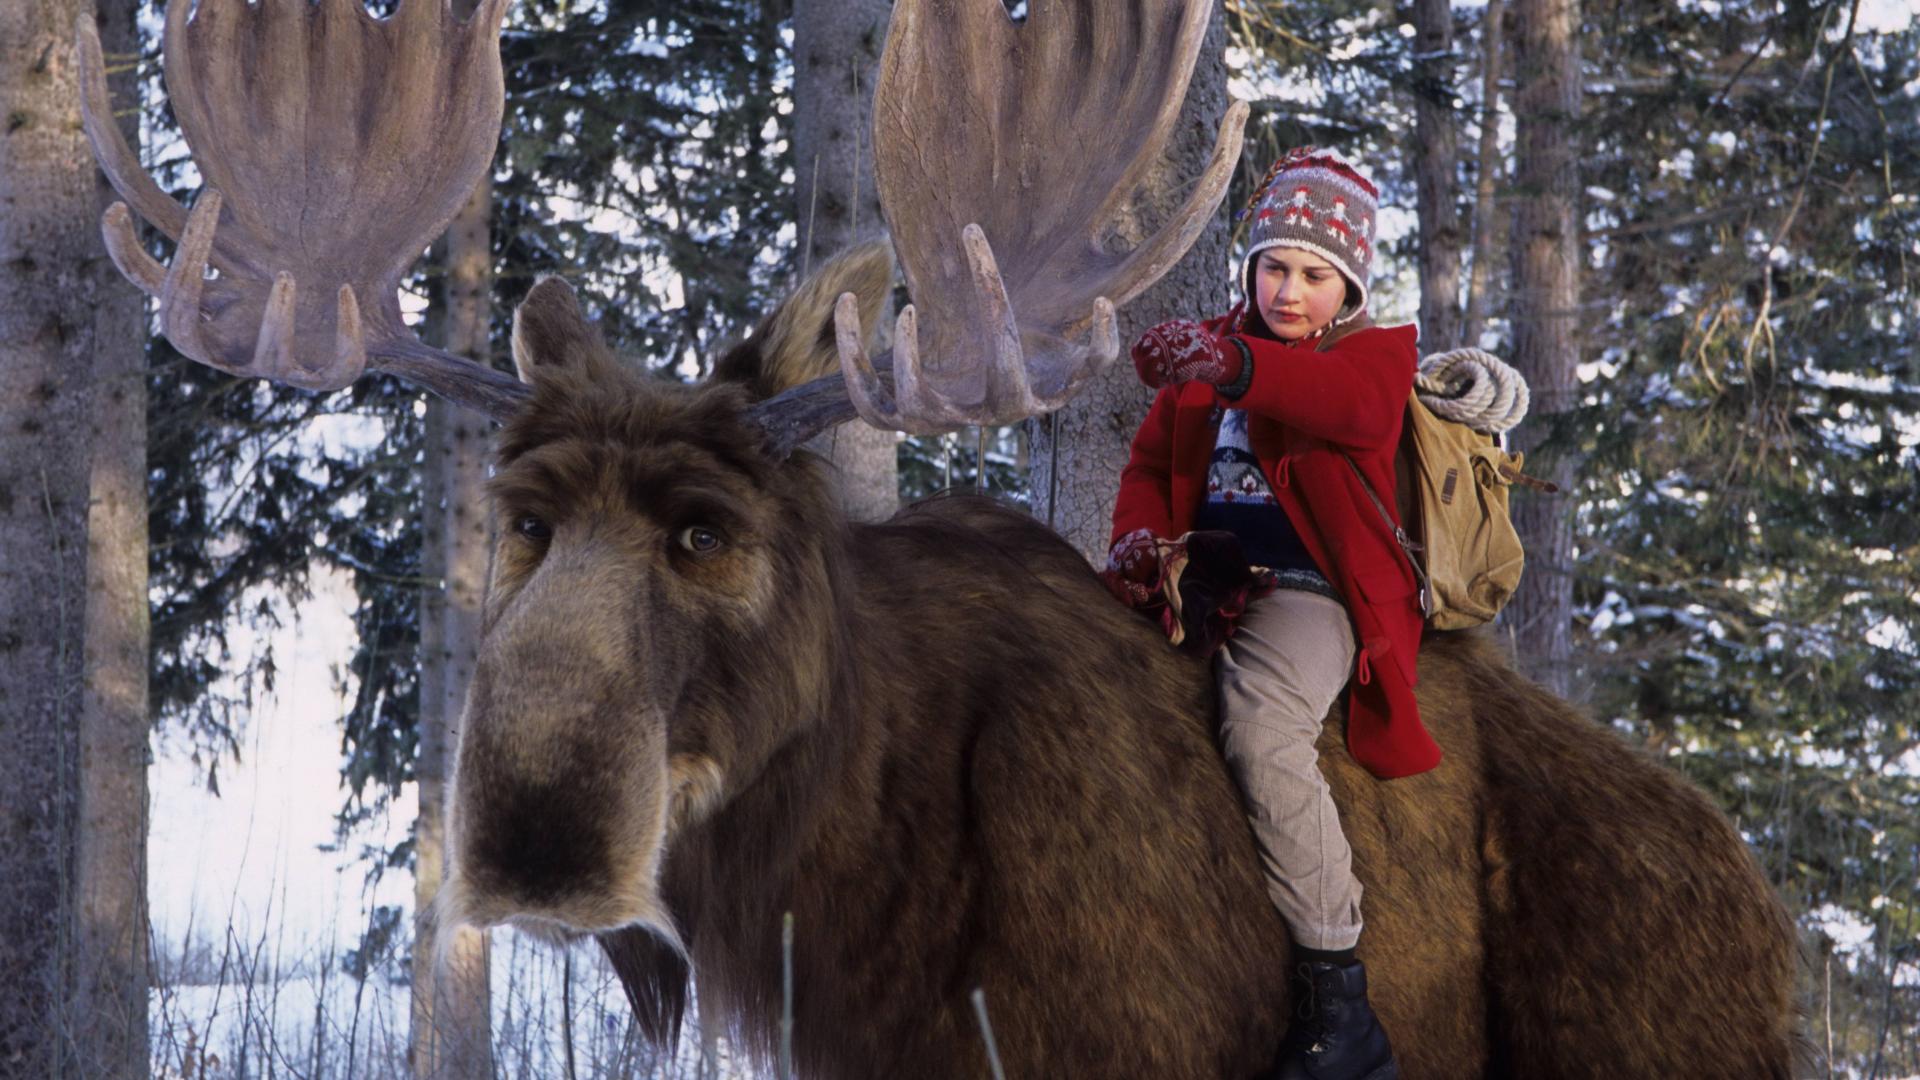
x: 836, y: 59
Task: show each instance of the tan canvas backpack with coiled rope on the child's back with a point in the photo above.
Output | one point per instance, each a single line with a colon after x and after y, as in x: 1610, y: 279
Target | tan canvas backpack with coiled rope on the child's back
x: 1452, y: 485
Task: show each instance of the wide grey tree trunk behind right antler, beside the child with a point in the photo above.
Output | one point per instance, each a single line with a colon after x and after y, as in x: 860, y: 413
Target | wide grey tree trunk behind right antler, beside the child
x: 1074, y: 489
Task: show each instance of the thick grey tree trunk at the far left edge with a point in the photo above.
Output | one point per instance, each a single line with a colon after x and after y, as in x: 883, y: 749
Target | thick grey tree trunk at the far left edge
x: 57, y: 324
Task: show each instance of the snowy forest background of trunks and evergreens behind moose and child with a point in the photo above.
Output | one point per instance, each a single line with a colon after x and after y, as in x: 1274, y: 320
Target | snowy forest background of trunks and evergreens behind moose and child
x: 1727, y: 385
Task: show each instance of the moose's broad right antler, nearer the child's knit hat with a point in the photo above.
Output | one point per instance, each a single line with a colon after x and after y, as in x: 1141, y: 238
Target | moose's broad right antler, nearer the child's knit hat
x: 1030, y: 141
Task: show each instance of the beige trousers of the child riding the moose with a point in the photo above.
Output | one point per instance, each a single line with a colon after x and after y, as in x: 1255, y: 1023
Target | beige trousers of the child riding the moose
x: 1278, y: 675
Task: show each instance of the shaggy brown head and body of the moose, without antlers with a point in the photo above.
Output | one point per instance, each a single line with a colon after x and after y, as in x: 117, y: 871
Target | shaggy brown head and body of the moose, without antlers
x: 959, y: 764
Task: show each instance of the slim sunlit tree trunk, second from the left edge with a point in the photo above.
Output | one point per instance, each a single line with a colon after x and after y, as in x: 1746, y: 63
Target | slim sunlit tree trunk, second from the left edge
x: 110, y: 935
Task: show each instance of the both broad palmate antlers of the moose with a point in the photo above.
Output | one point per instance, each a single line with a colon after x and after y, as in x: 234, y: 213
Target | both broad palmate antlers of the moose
x: 337, y: 147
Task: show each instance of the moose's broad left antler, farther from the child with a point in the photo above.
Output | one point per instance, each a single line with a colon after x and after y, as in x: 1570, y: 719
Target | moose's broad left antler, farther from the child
x: 335, y: 147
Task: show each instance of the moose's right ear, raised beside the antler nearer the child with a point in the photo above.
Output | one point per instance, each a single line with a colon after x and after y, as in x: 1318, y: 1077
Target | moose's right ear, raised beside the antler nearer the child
x: 796, y: 345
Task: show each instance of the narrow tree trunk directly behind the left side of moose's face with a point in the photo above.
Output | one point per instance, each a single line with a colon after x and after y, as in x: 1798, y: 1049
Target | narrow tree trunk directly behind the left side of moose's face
x: 452, y: 1002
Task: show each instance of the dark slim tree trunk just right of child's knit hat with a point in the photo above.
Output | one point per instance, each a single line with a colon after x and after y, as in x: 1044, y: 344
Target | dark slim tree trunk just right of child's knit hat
x: 1435, y: 159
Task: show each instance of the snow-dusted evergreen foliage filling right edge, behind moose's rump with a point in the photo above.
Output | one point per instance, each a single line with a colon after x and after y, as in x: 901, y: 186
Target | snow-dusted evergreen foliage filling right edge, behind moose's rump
x: 1750, y: 577
